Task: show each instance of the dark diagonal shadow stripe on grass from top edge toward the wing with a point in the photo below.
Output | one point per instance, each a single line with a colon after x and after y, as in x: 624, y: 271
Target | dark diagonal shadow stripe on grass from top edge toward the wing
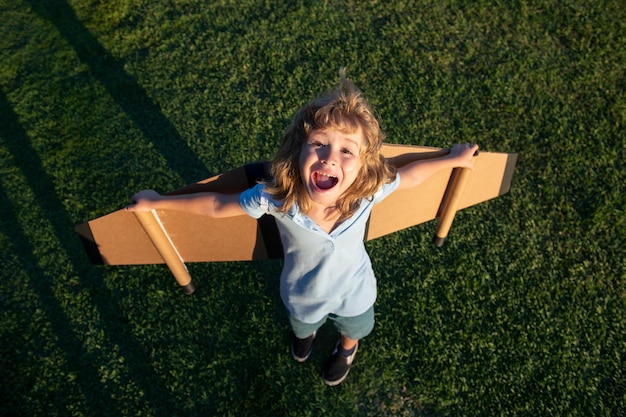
x: 146, y: 114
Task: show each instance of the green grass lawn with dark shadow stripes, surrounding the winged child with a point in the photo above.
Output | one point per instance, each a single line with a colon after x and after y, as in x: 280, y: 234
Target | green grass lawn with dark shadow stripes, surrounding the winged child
x: 522, y: 312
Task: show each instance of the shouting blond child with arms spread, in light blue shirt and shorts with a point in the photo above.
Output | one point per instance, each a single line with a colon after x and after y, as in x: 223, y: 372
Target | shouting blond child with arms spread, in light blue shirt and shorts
x: 326, y: 177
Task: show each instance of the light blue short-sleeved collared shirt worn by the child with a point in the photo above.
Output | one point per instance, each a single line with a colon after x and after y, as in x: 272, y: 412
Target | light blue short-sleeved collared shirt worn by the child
x: 322, y: 273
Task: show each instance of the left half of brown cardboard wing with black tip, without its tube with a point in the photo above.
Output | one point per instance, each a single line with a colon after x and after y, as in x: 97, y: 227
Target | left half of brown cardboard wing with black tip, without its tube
x: 119, y: 239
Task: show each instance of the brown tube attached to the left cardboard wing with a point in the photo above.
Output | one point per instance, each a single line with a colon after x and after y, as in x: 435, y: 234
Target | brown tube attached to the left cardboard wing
x: 154, y: 229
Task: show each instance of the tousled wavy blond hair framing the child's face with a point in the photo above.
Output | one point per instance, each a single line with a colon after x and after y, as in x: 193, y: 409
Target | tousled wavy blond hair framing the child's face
x: 346, y: 109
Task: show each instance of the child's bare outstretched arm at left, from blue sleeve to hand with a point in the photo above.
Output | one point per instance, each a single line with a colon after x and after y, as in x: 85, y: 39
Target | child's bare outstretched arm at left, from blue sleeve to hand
x: 207, y: 204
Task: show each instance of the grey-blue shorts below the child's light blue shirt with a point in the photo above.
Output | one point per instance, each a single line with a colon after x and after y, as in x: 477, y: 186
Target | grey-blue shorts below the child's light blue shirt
x: 353, y: 327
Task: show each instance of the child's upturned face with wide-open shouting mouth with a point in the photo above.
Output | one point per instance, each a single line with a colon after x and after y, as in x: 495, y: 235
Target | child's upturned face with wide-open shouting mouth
x: 329, y: 163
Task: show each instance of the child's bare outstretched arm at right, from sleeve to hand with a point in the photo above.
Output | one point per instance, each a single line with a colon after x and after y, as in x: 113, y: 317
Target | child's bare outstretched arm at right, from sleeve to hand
x: 415, y: 173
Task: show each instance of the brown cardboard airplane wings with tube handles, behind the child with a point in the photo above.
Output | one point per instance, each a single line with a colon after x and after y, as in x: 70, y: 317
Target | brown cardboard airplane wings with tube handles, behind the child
x: 131, y: 238
